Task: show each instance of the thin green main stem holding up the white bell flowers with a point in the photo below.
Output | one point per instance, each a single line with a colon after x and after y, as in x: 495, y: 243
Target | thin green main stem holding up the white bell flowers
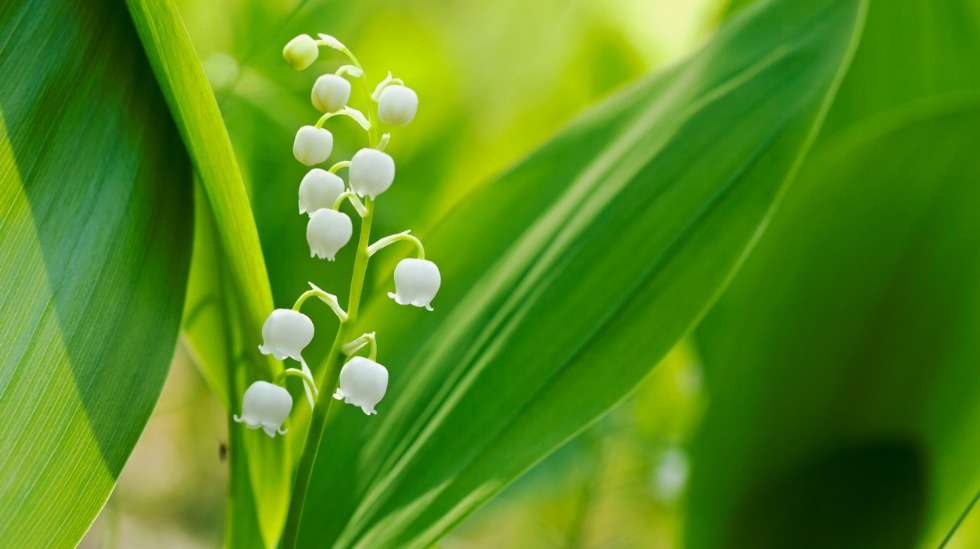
x: 333, y: 362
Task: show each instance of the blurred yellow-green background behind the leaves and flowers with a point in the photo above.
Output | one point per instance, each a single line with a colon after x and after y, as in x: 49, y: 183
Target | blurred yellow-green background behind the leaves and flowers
x: 495, y: 80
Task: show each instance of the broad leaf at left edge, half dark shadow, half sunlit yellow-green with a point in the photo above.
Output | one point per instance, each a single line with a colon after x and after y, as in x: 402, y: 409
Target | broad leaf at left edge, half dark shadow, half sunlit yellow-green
x: 95, y: 234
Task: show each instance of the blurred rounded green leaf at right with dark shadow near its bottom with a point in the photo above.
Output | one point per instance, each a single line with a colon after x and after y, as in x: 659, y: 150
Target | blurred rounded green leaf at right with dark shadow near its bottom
x: 856, y: 320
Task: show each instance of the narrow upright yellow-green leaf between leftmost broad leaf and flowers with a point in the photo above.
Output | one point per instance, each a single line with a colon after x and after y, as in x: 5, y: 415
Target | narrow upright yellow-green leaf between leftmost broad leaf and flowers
x: 232, y: 283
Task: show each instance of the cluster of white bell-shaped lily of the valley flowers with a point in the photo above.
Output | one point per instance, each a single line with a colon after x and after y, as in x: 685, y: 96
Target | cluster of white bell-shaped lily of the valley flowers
x: 361, y: 381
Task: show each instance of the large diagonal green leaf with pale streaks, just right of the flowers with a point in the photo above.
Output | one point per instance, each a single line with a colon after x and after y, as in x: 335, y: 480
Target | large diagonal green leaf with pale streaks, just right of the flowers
x: 570, y: 276
